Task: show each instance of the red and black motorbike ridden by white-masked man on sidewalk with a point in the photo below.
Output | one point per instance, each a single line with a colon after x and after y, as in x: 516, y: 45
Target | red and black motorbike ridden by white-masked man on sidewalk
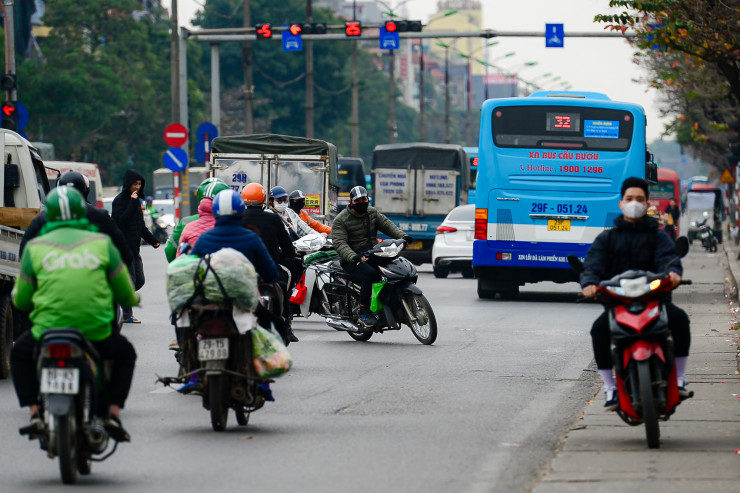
x: 642, y: 345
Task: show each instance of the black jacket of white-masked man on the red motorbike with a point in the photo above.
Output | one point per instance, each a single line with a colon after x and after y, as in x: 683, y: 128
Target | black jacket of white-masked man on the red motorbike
x: 640, y: 245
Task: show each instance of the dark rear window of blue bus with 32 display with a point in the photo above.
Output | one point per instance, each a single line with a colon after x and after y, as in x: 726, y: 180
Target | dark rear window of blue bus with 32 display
x: 562, y: 127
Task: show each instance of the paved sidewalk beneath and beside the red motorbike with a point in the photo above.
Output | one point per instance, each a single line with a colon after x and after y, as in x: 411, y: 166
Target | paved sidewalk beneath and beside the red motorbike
x: 699, y: 444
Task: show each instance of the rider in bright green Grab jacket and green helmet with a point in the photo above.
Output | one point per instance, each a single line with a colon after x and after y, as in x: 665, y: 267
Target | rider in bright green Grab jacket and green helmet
x: 67, y: 263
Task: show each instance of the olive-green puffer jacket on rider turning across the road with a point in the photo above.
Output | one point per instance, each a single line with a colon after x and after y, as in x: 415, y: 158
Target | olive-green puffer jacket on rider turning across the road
x: 353, y: 234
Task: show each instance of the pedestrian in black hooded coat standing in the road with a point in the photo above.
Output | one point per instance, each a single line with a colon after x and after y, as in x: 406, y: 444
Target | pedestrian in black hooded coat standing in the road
x: 129, y: 217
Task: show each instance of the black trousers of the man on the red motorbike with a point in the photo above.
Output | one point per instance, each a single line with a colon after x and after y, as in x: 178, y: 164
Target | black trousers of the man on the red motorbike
x: 678, y: 321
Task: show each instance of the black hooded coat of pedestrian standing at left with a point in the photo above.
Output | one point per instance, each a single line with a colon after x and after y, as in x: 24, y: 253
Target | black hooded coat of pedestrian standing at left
x: 128, y: 215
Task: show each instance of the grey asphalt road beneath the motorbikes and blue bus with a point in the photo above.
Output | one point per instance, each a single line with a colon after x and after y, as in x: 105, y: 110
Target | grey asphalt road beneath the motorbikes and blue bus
x: 483, y: 409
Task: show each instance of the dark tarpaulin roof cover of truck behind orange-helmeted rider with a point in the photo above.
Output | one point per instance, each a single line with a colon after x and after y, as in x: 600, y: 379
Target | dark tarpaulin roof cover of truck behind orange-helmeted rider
x: 271, y: 144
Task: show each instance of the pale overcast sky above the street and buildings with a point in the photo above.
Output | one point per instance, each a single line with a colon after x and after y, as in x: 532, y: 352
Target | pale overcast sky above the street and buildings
x: 588, y: 64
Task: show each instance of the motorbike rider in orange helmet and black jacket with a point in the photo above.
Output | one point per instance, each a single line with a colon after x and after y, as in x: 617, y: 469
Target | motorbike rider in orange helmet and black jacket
x: 274, y: 235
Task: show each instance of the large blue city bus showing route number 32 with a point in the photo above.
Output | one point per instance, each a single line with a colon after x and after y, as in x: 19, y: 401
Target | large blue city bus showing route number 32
x: 549, y: 178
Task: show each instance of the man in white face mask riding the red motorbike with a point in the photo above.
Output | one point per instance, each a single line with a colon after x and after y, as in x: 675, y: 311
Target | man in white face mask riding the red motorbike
x: 635, y: 242
